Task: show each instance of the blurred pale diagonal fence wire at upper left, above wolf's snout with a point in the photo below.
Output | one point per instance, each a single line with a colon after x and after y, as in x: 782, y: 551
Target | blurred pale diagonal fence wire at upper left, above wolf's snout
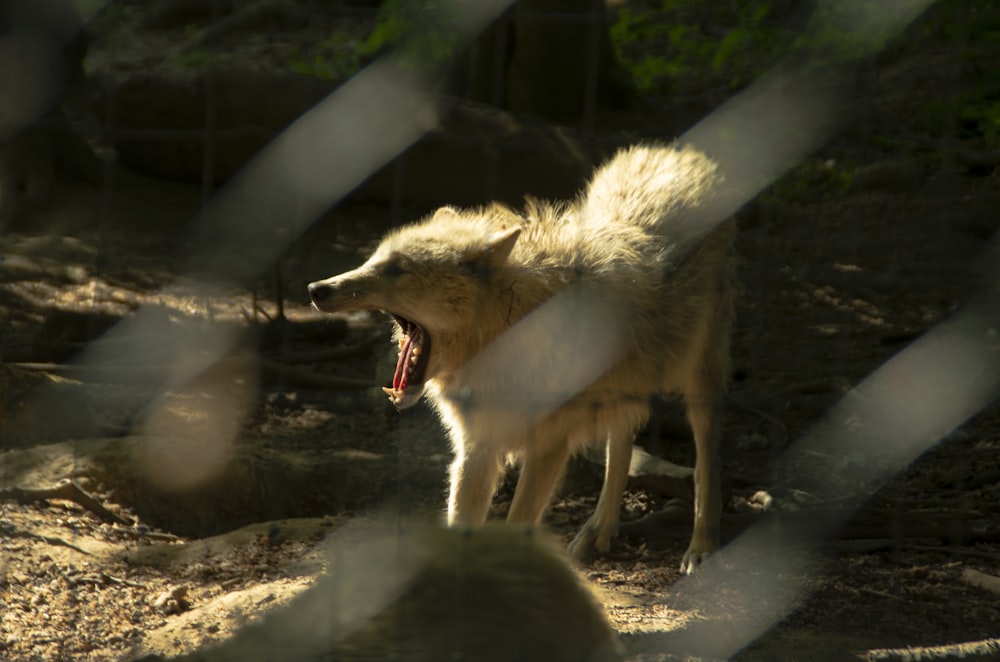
x: 285, y: 188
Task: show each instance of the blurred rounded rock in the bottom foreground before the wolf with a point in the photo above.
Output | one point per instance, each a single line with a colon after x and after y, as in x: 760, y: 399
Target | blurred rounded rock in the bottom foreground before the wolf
x: 496, y: 592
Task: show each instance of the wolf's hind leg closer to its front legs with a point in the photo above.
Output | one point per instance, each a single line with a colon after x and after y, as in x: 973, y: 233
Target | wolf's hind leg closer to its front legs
x: 602, y: 527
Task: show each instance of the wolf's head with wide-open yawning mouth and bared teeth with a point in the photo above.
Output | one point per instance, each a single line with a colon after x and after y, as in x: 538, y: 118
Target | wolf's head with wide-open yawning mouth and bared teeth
x: 438, y: 279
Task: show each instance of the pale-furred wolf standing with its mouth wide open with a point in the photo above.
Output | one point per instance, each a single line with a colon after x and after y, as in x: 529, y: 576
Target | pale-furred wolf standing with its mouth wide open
x: 534, y: 333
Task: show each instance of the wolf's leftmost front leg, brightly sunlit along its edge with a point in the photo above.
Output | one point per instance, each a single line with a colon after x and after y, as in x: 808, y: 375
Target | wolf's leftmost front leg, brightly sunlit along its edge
x: 474, y: 474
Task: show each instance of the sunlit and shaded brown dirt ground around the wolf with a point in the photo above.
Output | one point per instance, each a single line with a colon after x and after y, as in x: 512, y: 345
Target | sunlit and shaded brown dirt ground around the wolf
x: 215, y: 491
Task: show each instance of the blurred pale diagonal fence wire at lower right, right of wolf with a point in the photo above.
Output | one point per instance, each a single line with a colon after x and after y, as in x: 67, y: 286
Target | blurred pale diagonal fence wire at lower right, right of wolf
x: 903, y: 409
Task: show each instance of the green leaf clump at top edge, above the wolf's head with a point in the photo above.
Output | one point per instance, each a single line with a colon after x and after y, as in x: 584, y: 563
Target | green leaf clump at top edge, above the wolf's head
x: 421, y: 32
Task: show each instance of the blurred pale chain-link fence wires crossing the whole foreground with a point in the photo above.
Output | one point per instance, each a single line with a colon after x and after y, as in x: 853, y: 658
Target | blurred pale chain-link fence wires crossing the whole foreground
x: 927, y: 390
